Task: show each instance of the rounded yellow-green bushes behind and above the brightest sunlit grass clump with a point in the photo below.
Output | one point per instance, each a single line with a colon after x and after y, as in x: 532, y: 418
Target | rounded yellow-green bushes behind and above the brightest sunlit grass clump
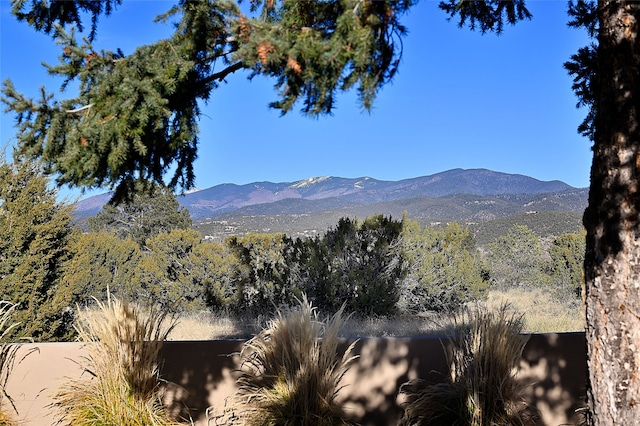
x: 174, y: 271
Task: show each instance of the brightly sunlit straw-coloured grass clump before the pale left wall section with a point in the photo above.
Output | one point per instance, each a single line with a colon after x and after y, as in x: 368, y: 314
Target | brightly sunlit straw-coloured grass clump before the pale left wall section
x: 123, y: 342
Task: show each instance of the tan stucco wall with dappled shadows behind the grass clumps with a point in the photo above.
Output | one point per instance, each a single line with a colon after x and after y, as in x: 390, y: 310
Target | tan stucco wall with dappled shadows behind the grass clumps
x: 553, y: 369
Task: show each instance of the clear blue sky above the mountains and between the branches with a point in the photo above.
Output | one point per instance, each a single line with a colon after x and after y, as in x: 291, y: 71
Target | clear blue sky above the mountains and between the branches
x: 460, y: 100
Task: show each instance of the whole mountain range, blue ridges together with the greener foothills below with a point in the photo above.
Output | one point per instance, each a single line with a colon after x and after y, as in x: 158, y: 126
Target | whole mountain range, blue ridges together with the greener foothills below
x: 312, y: 205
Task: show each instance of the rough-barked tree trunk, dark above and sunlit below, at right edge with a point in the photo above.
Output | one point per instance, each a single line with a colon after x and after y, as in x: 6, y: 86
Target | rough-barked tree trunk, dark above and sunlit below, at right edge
x: 612, y: 220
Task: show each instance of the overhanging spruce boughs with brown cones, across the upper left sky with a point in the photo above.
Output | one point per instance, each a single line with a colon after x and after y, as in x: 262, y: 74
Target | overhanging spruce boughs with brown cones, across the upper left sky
x: 135, y: 116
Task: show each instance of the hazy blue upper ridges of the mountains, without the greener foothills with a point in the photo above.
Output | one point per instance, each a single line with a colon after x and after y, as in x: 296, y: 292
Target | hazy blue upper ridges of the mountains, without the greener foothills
x: 330, y: 192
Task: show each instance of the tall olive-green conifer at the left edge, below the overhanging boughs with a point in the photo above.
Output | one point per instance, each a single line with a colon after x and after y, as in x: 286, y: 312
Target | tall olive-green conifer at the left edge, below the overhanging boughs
x: 35, y: 230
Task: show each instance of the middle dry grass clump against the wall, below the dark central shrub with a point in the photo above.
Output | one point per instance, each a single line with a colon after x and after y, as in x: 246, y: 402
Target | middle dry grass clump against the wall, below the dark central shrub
x: 290, y: 372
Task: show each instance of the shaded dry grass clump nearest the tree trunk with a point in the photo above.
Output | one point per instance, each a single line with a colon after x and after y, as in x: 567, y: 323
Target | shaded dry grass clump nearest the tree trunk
x: 482, y: 388
